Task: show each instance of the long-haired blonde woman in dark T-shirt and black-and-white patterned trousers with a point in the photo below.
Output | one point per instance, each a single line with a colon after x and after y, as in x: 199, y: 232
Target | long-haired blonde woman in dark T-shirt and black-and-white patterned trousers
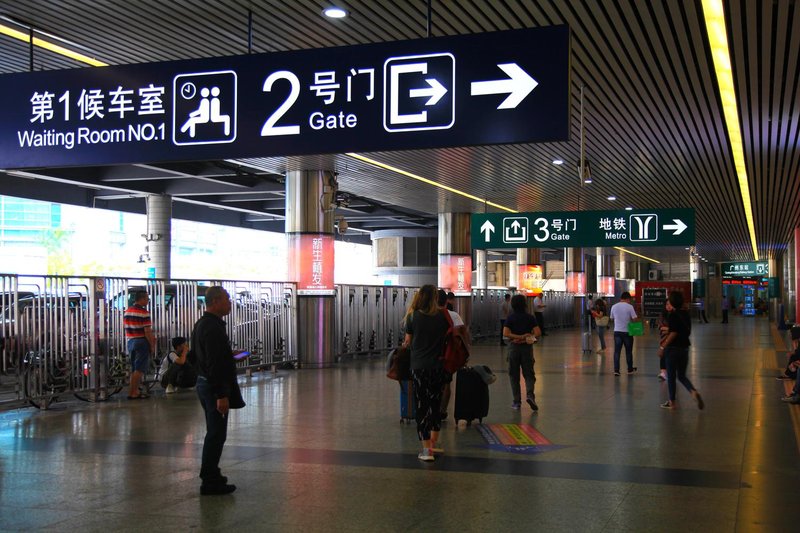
x: 426, y: 328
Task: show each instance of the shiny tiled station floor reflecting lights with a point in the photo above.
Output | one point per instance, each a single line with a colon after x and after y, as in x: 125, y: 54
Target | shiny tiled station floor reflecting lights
x: 325, y: 451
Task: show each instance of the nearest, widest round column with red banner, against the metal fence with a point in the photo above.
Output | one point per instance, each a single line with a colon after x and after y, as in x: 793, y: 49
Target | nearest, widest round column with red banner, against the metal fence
x: 309, y: 228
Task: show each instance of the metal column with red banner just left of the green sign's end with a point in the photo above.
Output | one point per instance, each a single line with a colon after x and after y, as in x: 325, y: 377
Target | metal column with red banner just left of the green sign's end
x: 455, y: 260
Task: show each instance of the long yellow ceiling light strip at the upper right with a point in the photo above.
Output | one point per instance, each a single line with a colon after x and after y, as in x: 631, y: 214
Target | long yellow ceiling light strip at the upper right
x: 714, y: 15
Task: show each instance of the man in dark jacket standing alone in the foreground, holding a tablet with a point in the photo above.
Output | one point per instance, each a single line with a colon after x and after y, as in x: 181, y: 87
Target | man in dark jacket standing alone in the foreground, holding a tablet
x: 217, y: 387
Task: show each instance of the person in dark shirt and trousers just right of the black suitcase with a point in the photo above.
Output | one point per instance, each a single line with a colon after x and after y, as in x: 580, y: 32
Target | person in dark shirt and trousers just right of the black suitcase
x: 521, y: 329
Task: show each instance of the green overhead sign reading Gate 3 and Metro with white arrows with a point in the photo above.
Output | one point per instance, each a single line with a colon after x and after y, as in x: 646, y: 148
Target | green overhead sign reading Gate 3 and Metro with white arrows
x: 577, y: 229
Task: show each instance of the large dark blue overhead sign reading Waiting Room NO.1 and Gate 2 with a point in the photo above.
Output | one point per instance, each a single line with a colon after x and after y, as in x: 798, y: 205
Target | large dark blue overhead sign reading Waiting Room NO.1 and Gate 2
x: 491, y: 88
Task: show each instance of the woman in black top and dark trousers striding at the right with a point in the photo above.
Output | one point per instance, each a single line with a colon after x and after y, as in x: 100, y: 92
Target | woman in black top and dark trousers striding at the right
x: 675, y: 349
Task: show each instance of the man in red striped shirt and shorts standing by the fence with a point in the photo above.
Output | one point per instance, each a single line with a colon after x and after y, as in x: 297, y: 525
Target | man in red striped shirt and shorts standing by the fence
x: 141, y: 341
